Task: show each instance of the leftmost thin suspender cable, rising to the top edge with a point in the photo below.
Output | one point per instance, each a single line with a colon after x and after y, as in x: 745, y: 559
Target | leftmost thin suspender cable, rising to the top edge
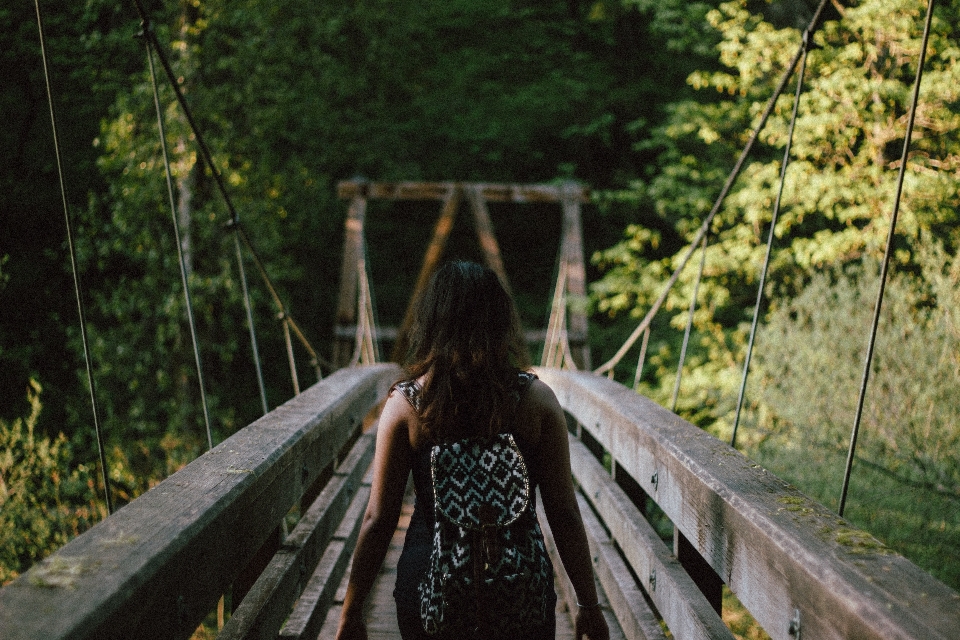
x: 76, y: 276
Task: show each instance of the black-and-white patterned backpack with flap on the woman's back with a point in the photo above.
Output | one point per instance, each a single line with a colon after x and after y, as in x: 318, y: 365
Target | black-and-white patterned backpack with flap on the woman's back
x: 489, y: 569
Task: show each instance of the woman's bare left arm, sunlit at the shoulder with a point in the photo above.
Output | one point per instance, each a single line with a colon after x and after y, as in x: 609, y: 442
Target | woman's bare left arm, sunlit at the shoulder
x: 391, y: 466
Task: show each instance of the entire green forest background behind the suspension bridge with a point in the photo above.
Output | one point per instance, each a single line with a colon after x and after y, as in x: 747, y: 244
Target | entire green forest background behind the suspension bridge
x: 647, y: 102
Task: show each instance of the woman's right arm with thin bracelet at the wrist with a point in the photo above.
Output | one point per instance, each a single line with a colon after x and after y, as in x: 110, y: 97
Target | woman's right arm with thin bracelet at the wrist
x: 563, y: 513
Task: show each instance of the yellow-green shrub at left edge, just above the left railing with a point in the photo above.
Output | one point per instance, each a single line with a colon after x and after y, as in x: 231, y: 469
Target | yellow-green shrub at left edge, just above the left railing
x: 44, y: 499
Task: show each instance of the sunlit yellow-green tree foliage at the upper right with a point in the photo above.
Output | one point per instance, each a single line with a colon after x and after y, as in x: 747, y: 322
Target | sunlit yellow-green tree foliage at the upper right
x: 839, y: 189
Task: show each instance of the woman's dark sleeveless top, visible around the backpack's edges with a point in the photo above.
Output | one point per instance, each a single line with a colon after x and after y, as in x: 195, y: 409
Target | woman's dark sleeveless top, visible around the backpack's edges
x: 414, y: 559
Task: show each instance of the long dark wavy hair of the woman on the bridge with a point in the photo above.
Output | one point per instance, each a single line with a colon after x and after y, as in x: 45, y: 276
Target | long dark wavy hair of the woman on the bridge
x: 467, y: 337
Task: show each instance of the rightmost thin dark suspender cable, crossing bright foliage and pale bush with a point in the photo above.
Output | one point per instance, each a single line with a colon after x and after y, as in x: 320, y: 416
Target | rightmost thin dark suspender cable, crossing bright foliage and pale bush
x: 886, y: 260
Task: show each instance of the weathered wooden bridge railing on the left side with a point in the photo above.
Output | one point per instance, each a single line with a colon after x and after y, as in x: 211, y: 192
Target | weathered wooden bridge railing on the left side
x: 158, y: 566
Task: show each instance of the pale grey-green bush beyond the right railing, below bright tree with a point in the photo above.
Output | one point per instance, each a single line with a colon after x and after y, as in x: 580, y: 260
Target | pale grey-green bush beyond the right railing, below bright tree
x: 809, y: 364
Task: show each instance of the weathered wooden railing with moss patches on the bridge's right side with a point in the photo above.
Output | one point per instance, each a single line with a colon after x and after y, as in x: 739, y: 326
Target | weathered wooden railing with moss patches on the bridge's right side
x: 800, y: 570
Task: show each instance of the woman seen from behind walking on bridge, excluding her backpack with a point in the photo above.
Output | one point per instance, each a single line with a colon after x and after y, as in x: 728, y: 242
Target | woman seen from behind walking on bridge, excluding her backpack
x: 462, y: 381
